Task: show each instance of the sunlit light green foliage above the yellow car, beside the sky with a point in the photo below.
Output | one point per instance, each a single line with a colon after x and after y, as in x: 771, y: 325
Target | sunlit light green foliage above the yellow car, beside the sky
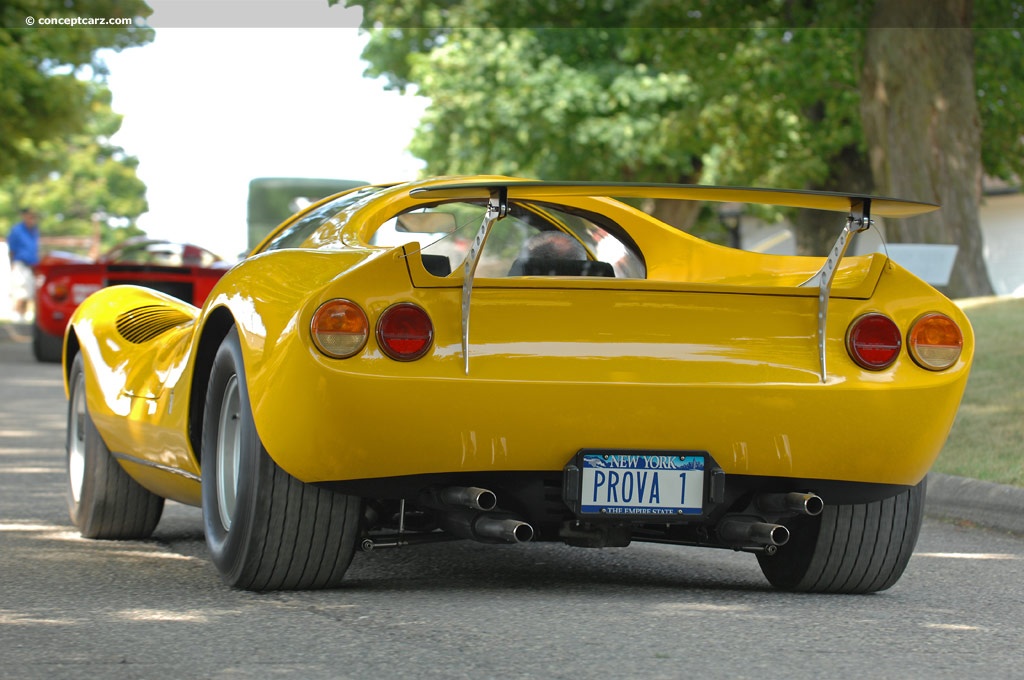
x: 526, y: 101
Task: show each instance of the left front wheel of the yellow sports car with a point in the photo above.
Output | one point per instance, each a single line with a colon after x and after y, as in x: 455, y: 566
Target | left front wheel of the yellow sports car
x: 103, y: 500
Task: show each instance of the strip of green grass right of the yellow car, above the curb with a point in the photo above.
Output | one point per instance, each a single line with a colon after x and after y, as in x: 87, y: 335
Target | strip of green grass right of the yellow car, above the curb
x: 988, y: 440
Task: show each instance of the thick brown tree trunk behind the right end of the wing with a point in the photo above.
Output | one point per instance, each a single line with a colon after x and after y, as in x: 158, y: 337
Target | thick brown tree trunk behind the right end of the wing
x: 923, y: 130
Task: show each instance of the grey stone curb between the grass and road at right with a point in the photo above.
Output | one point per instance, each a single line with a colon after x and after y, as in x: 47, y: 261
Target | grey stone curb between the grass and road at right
x: 984, y: 503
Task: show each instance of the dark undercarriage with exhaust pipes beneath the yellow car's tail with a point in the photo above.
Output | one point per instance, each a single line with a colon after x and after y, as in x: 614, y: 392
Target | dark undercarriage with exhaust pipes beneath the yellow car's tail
x: 740, y: 513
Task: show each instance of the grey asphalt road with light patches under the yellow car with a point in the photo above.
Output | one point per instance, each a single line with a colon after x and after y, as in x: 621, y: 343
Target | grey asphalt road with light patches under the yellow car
x: 76, y: 609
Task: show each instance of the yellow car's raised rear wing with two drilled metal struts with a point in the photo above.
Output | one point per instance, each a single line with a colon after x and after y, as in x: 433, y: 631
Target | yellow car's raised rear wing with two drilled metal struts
x: 859, y: 207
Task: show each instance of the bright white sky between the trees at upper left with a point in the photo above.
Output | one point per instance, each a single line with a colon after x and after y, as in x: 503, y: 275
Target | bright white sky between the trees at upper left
x: 221, y: 98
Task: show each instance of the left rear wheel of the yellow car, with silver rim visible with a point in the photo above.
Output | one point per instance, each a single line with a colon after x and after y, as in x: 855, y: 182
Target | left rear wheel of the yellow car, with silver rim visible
x: 266, y: 530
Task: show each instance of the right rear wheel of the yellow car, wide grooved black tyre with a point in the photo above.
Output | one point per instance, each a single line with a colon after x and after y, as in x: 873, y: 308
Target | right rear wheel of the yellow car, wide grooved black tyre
x: 849, y: 548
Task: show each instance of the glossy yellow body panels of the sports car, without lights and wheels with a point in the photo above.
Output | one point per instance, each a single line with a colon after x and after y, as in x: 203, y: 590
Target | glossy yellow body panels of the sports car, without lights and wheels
x: 715, y: 351
